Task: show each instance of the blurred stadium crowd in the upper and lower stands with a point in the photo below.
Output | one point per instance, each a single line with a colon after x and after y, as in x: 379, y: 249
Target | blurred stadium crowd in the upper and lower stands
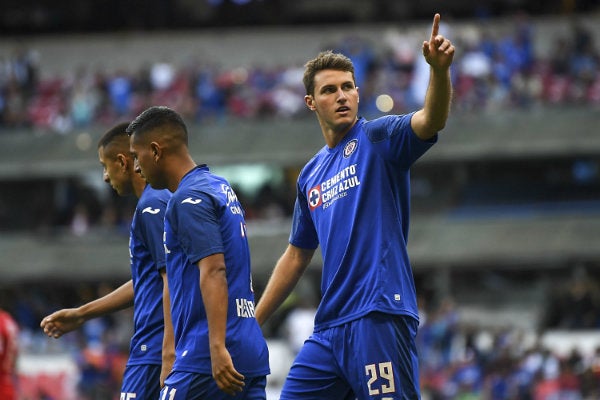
x: 458, y: 361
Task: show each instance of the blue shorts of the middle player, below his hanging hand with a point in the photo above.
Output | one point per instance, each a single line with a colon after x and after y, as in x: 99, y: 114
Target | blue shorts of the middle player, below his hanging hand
x: 194, y: 386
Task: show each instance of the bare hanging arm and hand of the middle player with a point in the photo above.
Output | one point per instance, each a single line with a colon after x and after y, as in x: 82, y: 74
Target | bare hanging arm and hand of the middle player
x: 213, y: 285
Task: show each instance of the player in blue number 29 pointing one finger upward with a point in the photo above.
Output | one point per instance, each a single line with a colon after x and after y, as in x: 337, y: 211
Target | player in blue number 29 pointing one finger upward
x: 353, y: 201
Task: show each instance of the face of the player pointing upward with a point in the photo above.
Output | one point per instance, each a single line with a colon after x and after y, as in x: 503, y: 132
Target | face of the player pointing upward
x: 335, y: 99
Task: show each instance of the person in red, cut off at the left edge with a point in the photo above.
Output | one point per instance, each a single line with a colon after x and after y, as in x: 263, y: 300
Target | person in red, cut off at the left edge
x: 9, y: 349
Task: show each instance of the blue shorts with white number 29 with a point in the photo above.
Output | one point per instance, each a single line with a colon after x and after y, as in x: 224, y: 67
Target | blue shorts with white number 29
x: 374, y: 357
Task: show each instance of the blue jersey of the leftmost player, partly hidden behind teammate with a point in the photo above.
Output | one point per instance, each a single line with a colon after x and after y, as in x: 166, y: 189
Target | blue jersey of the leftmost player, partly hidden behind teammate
x: 147, y: 258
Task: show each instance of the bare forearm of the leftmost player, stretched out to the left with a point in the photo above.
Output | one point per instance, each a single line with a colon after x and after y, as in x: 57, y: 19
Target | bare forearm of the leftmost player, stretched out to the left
x: 66, y: 320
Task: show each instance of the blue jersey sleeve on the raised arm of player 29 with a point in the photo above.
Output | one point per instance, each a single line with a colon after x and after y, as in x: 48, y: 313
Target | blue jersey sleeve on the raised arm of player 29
x: 395, y: 140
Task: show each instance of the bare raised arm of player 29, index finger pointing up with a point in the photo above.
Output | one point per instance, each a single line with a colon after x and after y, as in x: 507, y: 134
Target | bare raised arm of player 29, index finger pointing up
x: 439, y: 53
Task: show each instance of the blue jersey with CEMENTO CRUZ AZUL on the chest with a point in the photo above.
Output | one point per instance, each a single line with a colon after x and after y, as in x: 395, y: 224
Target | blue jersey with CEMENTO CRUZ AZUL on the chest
x: 354, y: 201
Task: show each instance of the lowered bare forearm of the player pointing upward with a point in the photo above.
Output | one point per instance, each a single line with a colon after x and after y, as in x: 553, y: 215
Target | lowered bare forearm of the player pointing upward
x: 286, y: 274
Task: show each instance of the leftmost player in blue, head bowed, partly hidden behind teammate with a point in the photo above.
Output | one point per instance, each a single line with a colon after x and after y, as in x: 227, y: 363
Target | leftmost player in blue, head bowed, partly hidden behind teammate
x: 151, y: 350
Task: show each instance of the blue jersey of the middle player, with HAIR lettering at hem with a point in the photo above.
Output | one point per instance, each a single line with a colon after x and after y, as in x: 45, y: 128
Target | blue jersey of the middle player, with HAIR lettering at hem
x: 204, y: 217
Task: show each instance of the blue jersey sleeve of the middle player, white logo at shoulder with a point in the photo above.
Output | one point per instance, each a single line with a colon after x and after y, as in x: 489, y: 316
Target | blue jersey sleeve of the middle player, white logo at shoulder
x: 199, y: 230
